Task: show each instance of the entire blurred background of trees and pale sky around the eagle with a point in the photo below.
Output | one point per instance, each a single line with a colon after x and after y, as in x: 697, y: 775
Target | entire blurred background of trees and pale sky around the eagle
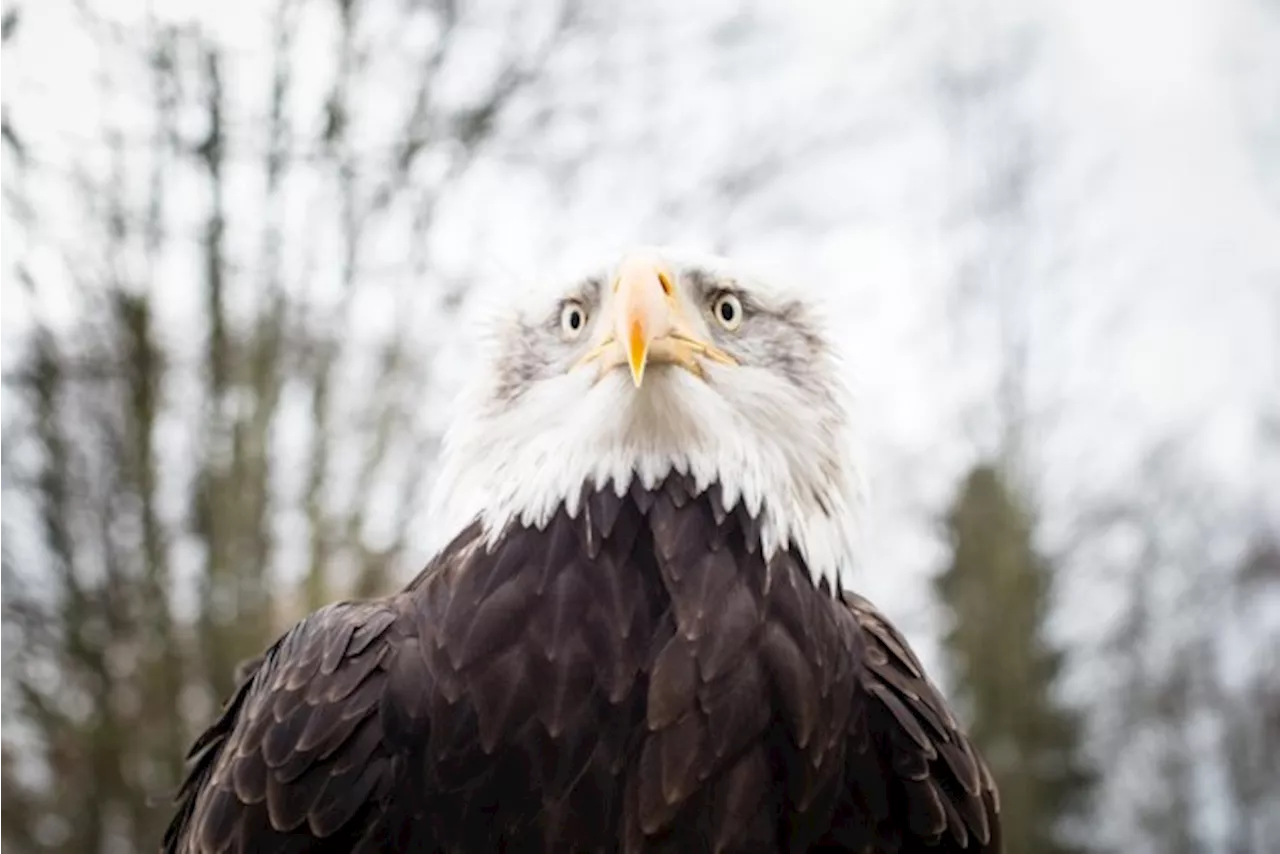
x: 244, y: 245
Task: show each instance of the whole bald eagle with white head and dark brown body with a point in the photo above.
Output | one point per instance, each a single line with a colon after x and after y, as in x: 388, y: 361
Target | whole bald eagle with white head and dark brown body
x: 633, y: 636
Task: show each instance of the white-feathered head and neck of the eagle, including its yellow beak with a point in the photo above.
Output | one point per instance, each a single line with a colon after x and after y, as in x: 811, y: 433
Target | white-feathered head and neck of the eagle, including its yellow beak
x: 659, y: 363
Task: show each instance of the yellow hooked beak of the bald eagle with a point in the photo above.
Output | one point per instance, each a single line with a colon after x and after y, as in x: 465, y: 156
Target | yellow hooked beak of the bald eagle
x: 650, y: 325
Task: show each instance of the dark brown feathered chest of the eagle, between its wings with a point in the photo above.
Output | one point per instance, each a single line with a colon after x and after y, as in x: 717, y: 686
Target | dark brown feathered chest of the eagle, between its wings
x: 621, y: 674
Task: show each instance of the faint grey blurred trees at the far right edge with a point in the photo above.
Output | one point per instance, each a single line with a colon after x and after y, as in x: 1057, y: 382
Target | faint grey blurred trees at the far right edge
x: 1188, y: 668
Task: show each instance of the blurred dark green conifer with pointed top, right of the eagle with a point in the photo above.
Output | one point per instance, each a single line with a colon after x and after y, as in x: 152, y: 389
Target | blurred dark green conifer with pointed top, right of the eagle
x: 1007, y: 672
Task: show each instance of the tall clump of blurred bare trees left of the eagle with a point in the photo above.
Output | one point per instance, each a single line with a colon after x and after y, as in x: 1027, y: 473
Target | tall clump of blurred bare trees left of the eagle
x: 203, y: 442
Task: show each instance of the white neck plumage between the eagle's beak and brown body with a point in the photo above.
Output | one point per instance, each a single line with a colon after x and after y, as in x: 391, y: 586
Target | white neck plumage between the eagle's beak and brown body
x: 520, y: 463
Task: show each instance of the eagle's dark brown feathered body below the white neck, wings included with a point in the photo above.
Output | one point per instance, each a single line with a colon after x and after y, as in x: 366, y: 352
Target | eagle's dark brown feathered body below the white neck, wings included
x: 637, y: 679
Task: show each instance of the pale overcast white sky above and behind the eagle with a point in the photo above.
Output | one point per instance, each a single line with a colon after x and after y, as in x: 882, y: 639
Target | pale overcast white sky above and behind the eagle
x: 1163, y: 322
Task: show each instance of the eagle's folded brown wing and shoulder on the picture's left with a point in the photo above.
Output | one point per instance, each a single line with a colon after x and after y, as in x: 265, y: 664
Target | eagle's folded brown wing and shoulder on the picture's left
x: 312, y: 743
